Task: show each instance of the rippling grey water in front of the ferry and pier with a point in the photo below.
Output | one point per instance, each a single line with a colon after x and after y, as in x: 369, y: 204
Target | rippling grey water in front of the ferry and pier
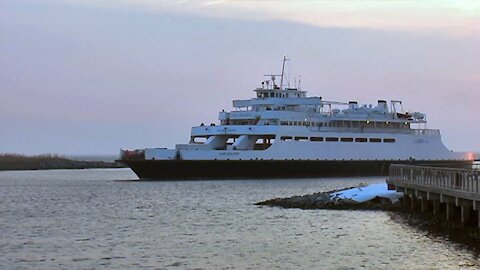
x: 87, y: 219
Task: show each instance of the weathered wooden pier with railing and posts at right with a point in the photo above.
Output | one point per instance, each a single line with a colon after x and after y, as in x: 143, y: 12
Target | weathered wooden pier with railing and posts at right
x: 454, y: 193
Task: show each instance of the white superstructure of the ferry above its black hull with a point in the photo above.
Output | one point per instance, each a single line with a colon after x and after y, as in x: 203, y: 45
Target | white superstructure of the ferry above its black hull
x: 283, y: 123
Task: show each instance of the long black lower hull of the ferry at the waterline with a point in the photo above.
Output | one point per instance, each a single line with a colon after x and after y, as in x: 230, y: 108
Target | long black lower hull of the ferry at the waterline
x: 267, y: 169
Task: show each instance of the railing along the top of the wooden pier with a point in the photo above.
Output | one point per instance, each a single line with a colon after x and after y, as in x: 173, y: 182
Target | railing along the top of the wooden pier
x: 465, y: 181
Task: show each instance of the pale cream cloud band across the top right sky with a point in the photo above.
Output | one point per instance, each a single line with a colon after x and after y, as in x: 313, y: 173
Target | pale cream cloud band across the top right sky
x: 451, y: 17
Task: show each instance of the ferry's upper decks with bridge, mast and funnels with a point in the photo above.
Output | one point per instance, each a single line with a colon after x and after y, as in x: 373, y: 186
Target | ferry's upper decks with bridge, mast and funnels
x: 276, y: 104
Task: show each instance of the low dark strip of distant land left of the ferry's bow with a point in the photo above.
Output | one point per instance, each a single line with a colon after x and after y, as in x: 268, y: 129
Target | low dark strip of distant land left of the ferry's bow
x: 14, y: 162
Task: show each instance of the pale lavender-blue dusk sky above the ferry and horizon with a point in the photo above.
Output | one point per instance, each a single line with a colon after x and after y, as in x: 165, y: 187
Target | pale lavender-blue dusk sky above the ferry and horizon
x: 89, y: 77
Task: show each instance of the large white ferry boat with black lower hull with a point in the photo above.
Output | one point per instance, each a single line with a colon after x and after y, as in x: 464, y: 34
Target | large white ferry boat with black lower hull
x: 283, y: 133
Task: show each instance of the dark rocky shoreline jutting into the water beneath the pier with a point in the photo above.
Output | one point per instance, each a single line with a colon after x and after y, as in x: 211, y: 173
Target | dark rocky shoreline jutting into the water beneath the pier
x: 468, y: 234
